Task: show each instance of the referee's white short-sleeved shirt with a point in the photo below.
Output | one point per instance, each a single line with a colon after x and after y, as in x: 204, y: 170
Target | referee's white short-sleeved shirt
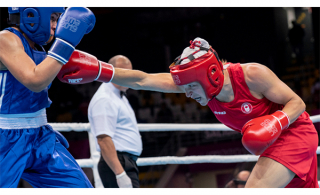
x: 112, y: 115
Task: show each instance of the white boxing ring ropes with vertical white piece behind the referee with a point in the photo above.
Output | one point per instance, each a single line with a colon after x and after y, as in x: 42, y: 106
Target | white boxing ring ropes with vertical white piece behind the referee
x: 92, y: 162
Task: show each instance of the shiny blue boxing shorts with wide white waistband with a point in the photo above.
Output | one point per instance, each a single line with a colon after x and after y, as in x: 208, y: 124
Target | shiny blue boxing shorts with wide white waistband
x: 37, y: 155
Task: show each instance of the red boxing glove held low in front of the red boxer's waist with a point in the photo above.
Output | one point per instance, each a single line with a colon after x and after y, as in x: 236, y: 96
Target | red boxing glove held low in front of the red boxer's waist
x: 260, y: 133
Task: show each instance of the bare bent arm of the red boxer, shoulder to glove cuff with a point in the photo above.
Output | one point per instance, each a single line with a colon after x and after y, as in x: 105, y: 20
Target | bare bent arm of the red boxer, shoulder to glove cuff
x: 262, y: 80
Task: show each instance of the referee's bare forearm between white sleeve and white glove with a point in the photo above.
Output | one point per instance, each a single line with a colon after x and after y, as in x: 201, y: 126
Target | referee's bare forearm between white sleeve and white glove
x: 109, y: 153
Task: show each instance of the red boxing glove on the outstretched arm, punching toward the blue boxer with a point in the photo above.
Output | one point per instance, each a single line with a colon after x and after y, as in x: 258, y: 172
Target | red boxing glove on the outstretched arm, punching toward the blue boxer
x: 85, y: 68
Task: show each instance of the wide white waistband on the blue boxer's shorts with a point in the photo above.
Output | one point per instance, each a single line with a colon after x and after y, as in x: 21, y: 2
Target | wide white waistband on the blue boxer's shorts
x: 23, y: 121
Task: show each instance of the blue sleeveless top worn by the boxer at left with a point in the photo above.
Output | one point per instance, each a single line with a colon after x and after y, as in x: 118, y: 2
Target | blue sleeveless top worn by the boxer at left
x: 15, y: 98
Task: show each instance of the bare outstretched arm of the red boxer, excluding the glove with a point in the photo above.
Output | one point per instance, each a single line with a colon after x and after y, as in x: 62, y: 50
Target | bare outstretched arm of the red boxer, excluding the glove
x: 135, y: 79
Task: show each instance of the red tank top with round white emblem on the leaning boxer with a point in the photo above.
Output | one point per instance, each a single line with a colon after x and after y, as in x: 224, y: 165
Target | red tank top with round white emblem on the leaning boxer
x: 244, y: 107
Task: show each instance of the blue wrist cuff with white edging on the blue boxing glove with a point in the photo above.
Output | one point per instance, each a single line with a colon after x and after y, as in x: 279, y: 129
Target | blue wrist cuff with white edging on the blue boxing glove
x: 61, y: 51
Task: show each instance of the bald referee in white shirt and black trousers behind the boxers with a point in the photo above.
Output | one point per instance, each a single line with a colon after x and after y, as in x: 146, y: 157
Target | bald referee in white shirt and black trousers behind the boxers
x: 114, y: 124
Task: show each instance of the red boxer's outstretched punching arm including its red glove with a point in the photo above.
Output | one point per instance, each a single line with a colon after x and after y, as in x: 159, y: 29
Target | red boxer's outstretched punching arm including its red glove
x: 85, y: 68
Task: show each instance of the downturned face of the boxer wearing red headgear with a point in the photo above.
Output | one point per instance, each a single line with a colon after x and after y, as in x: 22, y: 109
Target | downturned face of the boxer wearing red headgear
x: 195, y: 91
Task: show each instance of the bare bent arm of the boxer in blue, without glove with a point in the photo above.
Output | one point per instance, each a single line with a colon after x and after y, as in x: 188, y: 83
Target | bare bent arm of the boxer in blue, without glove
x: 22, y: 67
